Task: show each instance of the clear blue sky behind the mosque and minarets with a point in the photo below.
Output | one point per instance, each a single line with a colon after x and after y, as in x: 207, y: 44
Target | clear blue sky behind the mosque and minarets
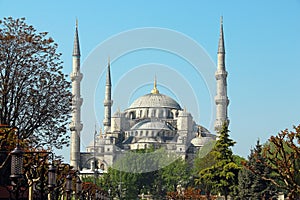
x: 262, y: 56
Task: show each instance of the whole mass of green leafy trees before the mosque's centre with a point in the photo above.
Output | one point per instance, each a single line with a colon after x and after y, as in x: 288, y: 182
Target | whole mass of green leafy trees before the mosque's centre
x: 142, y: 171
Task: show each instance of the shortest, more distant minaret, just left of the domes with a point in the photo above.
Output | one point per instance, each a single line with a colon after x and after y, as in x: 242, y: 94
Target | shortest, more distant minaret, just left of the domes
x: 107, y: 100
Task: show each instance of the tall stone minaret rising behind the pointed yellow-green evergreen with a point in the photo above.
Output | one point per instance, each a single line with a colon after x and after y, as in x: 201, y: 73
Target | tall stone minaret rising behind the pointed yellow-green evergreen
x: 221, y: 98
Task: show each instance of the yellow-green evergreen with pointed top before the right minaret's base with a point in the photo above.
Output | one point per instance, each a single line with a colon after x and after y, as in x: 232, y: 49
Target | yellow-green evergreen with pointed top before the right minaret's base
x: 223, y: 175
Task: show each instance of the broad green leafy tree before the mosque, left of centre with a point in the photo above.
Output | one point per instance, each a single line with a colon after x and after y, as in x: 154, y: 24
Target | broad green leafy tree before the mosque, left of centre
x: 135, y: 172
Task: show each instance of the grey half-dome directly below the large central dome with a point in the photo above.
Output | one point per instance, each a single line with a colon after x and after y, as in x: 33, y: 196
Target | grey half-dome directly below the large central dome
x: 151, y: 125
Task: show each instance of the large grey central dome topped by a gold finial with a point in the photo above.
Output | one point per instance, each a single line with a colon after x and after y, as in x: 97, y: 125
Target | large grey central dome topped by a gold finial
x: 155, y: 100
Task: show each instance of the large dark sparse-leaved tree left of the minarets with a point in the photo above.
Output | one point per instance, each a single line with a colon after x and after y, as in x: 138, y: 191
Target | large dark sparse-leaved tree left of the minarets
x: 34, y: 93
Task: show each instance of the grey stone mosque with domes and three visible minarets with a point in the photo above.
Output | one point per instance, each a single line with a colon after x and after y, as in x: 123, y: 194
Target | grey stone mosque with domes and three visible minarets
x: 153, y: 120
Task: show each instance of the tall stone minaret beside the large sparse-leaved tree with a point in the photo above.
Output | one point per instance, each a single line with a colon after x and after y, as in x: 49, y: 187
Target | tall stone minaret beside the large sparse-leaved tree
x: 76, y: 125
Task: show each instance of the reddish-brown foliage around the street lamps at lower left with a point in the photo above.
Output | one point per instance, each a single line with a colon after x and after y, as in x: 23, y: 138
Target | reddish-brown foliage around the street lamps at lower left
x: 35, y: 164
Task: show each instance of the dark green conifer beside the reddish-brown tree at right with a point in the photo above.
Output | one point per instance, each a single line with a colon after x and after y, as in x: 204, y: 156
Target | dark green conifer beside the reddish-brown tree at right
x: 251, y: 183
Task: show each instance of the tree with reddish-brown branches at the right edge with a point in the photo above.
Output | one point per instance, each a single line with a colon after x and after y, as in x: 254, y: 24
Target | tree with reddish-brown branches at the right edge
x: 283, y: 158
